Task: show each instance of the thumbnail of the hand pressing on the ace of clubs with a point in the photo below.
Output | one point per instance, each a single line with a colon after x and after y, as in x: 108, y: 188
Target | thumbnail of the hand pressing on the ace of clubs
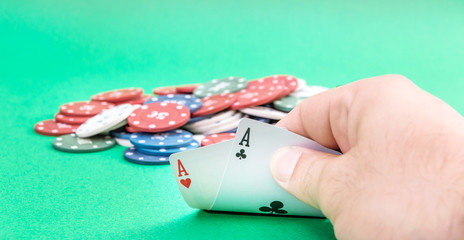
x: 283, y: 163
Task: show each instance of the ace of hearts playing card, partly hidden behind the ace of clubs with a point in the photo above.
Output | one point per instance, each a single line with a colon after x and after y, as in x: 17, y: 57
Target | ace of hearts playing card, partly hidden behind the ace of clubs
x: 198, y: 173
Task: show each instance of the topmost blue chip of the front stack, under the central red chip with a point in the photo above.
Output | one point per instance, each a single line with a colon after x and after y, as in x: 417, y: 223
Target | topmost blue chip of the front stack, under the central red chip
x: 173, y: 138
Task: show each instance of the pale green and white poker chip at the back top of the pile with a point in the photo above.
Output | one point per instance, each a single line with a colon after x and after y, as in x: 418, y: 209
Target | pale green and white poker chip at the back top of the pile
x: 218, y: 86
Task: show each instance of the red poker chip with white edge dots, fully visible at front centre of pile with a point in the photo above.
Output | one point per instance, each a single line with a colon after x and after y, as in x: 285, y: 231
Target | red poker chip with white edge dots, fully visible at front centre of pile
x: 159, y: 117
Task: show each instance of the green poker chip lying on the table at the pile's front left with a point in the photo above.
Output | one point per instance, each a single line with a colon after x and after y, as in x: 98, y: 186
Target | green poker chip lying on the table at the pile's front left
x: 75, y: 144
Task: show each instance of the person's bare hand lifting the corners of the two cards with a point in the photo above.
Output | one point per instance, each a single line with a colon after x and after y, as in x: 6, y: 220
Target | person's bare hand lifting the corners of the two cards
x: 401, y: 174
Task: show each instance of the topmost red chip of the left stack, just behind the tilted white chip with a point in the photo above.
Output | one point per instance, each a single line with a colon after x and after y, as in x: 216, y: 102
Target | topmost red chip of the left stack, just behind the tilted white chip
x: 84, y: 109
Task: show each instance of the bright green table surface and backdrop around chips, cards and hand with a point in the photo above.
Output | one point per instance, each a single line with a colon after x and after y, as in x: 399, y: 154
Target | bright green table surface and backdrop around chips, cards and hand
x: 53, y: 52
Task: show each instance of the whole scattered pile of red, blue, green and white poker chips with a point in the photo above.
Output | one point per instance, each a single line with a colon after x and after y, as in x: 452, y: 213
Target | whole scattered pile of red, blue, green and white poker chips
x: 177, y: 119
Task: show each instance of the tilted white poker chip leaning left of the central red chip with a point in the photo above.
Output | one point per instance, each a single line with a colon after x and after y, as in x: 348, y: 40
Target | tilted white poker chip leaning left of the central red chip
x: 107, y: 120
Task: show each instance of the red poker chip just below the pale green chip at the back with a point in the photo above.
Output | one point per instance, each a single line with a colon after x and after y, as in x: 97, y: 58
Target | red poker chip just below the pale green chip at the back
x: 215, y: 103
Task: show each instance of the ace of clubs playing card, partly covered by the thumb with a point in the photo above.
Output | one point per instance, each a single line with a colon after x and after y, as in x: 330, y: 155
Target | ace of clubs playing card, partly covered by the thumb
x: 248, y: 185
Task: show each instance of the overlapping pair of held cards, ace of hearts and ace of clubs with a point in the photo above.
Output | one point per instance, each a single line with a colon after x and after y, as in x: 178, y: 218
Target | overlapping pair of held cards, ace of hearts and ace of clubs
x: 235, y: 175
